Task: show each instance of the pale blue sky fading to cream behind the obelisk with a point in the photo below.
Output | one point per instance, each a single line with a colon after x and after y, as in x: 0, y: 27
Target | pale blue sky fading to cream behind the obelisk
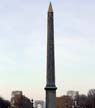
x: 23, y: 34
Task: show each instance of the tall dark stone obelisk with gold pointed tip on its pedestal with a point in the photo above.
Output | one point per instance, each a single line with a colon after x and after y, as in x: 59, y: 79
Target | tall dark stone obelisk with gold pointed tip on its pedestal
x: 50, y: 86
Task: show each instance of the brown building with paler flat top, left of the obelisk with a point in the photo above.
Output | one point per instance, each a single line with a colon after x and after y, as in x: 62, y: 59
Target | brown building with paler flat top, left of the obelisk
x: 18, y: 100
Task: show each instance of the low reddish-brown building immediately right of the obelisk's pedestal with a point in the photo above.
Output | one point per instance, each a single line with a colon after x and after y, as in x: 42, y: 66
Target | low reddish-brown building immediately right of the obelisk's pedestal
x: 64, y: 102
